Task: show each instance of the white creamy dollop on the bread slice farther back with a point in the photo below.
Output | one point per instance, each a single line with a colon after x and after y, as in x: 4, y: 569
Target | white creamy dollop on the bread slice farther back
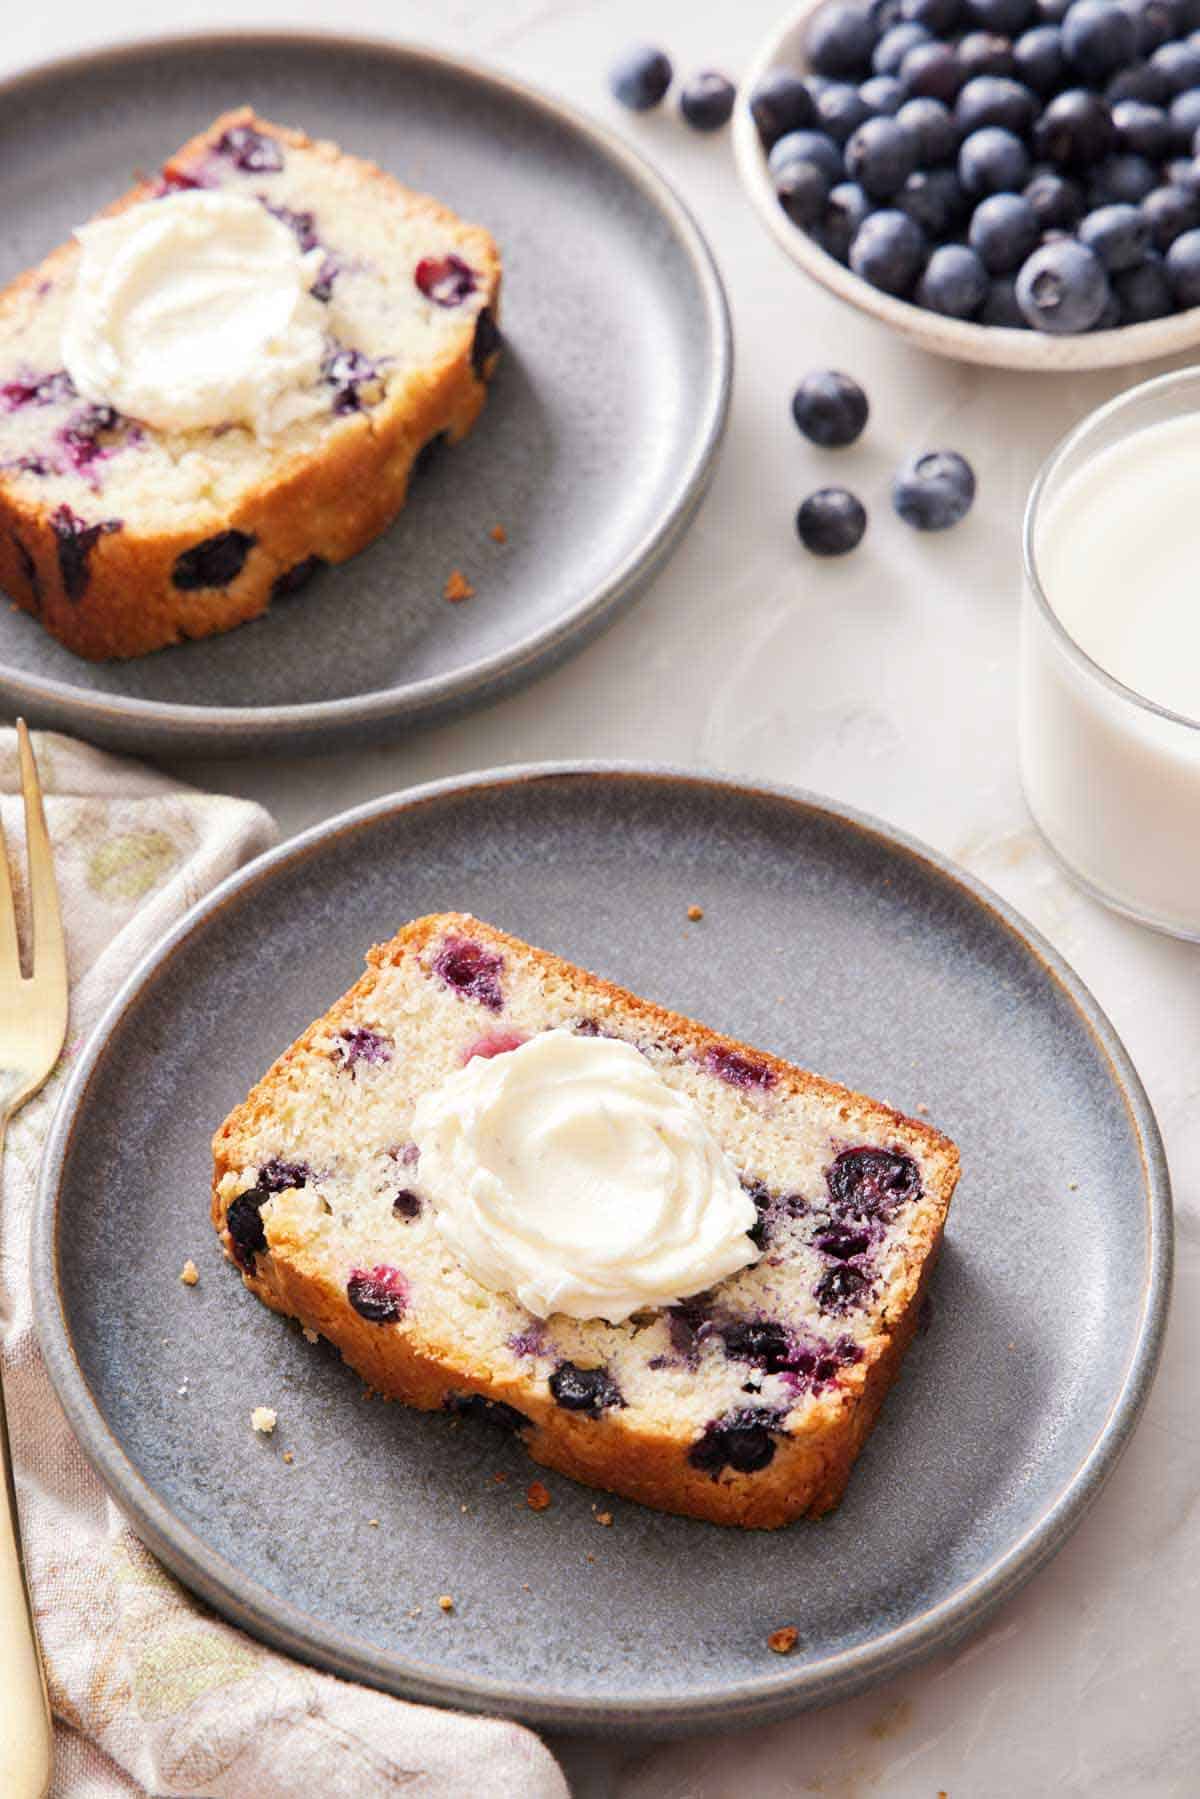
x: 195, y: 312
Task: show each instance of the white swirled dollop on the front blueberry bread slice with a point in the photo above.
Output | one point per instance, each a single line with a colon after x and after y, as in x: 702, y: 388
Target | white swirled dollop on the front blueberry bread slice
x: 571, y: 1176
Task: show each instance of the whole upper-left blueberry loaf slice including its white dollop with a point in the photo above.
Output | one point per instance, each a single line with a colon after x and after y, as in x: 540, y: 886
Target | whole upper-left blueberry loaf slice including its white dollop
x: 138, y: 512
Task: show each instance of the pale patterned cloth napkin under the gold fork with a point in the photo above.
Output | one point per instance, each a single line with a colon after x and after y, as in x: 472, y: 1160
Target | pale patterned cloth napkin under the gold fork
x: 150, y: 1692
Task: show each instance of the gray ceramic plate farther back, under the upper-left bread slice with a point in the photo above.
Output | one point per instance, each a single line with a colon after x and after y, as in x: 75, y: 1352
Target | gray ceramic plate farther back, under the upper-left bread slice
x: 595, y: 451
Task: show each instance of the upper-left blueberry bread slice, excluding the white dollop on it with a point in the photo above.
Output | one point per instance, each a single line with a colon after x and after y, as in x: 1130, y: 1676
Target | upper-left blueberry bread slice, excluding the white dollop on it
x: 121, y: 537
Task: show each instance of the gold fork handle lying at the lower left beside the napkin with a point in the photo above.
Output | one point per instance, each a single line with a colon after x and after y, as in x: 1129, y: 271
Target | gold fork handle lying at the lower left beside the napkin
x: 26, y: 1733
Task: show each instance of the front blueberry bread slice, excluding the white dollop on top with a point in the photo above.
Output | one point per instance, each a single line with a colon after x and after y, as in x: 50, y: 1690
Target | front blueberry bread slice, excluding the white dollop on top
x: 746, y: 1404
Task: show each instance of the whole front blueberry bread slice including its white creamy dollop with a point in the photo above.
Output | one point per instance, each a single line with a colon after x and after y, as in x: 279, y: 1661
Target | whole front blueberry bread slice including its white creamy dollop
x: 343, y: 1186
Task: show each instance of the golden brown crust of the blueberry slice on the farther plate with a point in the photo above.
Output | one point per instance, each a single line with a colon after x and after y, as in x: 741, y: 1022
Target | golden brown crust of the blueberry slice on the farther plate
x: 327, y: 505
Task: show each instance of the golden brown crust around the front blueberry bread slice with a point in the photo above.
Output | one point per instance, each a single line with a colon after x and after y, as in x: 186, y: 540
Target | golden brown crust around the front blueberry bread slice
x: 810, y: 1469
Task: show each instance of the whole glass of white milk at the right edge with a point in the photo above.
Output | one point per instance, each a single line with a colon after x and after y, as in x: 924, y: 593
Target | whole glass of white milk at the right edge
x: 1111, y: 654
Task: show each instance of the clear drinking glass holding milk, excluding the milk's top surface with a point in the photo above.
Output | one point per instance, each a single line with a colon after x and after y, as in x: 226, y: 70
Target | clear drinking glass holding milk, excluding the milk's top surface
x: 1113, y: 780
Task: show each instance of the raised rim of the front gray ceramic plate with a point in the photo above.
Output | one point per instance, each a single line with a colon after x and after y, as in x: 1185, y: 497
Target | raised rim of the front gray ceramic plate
x: 251, y: 1606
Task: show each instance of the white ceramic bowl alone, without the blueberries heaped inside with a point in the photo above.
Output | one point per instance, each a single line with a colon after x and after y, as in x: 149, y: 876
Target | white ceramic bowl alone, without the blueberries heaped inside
x: 994, y: 346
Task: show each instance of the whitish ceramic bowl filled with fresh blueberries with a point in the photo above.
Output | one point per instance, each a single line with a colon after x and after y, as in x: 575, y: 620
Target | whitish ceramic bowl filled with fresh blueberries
x: 1007, y: 183
